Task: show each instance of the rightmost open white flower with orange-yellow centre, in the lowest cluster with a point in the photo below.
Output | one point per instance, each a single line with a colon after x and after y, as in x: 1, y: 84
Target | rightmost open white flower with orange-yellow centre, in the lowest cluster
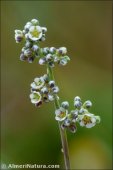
x: 88, y: 120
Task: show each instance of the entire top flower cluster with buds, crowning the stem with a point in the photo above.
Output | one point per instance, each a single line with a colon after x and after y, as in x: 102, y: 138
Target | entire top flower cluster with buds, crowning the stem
x: 32, y: 34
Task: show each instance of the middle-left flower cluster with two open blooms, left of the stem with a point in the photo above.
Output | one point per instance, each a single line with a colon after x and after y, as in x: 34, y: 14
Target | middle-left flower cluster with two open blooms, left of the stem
x: 43, y: 90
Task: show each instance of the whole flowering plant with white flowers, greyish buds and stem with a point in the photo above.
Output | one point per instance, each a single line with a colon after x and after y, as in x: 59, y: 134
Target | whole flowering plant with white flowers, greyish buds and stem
x: 44, y: 88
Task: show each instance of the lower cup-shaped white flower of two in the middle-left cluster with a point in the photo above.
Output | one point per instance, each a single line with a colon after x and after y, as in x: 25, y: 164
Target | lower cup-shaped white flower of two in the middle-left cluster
x: 35, y: 97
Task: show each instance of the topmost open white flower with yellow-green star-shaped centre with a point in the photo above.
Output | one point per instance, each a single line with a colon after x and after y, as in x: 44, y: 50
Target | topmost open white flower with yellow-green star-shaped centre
x: 35, y: 33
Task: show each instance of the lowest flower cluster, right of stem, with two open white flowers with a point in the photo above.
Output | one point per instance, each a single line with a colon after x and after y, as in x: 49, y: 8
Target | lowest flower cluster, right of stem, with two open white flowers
x: 80, y: 115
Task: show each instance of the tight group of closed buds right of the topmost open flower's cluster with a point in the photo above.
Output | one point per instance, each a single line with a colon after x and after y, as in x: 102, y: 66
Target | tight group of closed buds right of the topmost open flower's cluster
x: 53, y: 55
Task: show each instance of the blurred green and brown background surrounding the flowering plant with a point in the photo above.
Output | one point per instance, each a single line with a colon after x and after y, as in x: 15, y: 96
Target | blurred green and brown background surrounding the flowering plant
x: 31, y: 135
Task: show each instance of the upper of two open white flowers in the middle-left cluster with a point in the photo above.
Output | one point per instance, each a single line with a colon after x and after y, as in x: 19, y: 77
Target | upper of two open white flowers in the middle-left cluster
x: 38, y: 83
